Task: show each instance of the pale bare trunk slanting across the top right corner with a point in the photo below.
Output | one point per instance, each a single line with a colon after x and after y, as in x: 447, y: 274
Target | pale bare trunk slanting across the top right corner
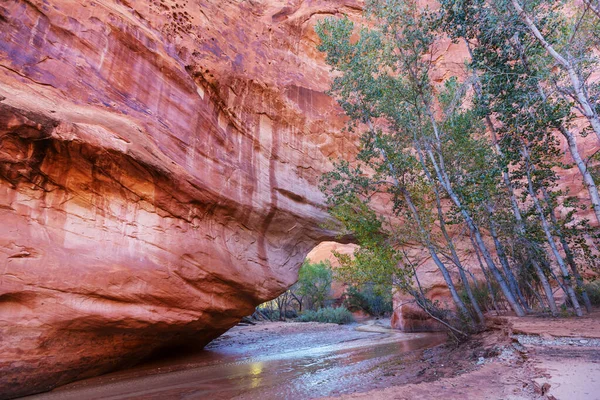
x: 577, y: 83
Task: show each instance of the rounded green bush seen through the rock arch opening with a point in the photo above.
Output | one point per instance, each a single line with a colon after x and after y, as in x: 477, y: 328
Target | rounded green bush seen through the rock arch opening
x: 314, y: 283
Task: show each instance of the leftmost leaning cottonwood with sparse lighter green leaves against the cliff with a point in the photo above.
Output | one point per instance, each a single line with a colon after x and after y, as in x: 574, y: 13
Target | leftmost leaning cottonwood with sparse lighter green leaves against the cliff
x: 384, y: 87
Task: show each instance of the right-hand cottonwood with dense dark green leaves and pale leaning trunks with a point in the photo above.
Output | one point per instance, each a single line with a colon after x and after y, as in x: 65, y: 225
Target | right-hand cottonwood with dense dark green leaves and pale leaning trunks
x: 512, y: 72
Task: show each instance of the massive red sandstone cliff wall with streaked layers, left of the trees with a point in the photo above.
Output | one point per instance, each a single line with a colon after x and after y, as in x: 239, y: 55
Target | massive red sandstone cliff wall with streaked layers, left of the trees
x: 158, y: 174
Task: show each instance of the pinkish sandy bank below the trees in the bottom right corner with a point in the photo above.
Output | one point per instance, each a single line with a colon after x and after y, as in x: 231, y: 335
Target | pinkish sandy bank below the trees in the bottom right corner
x: 526, y: 358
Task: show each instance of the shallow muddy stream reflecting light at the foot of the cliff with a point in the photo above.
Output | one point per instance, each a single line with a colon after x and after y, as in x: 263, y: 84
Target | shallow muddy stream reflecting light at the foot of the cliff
x: 245, y: 365
